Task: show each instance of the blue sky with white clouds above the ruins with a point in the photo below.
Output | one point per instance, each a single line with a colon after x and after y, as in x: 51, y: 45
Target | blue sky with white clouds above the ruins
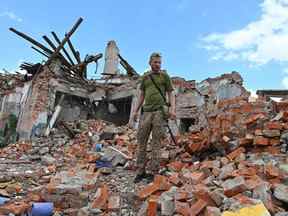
x: 197, y: 39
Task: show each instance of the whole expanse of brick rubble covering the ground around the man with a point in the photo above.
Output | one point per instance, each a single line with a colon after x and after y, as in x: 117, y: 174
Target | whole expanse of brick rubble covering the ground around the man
x: 87, y: 168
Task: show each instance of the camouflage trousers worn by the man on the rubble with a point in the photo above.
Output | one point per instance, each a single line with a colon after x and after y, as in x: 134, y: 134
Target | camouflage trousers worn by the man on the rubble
x: 150, y: 122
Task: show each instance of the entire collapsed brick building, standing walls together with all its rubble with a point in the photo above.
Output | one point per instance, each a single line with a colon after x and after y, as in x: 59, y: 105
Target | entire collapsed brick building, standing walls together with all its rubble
x: 69, y: 143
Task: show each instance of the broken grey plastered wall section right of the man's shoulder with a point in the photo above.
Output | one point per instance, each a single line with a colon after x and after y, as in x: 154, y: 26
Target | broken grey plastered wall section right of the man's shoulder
x: 195, y: 101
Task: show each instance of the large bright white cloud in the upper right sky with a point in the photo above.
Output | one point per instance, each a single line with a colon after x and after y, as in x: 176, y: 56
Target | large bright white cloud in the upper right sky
x: 259, y: 42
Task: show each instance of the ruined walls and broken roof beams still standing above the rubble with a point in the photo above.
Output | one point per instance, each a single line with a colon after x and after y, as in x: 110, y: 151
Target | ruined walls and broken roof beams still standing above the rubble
x: 59, y: 91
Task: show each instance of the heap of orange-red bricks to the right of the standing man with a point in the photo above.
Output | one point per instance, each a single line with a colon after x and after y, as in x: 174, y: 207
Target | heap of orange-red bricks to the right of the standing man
x: 239, y: 163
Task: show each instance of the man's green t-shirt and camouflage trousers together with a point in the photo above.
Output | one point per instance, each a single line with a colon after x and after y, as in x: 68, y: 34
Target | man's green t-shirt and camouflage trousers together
x: 152, y: 120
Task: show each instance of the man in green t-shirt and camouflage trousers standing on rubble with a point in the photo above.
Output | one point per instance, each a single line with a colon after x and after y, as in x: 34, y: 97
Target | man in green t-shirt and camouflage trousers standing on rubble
x: 154, y: 115
